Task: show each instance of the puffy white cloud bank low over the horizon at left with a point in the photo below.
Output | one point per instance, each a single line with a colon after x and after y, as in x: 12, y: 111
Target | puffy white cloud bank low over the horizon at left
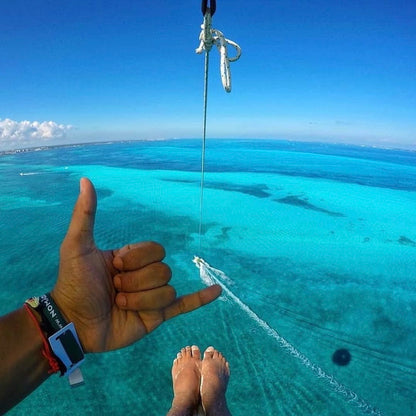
x: 14, y: 134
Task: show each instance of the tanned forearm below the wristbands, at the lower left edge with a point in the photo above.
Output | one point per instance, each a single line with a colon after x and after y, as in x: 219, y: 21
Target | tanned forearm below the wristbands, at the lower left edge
x: 22, y: 366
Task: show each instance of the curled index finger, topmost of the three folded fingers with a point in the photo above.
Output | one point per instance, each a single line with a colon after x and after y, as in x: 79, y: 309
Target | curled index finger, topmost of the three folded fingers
x: 135, y: 256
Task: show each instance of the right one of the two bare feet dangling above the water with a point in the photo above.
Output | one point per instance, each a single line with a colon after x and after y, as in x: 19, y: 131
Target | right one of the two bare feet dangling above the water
x: 215, y: 373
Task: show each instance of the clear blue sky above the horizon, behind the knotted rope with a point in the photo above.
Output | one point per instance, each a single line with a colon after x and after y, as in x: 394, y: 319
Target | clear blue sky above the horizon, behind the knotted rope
x: 309, y: 70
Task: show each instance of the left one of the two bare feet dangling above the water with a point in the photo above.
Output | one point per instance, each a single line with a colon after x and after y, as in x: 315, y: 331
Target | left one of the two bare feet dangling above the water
x: 186, y: 377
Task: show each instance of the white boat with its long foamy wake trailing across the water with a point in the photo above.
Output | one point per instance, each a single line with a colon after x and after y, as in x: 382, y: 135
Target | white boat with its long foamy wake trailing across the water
x: 210, y: 275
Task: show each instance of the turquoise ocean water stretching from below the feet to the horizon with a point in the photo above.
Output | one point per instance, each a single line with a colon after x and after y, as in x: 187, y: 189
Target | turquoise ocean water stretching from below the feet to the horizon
x: 316, y: 242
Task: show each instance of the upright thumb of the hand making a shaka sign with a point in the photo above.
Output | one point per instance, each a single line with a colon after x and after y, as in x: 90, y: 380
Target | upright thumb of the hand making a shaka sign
x: 81, y: 227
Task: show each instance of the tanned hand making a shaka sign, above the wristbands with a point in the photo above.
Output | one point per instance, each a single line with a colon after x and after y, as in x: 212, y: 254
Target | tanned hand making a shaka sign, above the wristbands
x: 115, y: 297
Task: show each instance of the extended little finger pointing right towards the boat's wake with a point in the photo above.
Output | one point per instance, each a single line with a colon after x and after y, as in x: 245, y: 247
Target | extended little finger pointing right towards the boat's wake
x: 188, y: 303
